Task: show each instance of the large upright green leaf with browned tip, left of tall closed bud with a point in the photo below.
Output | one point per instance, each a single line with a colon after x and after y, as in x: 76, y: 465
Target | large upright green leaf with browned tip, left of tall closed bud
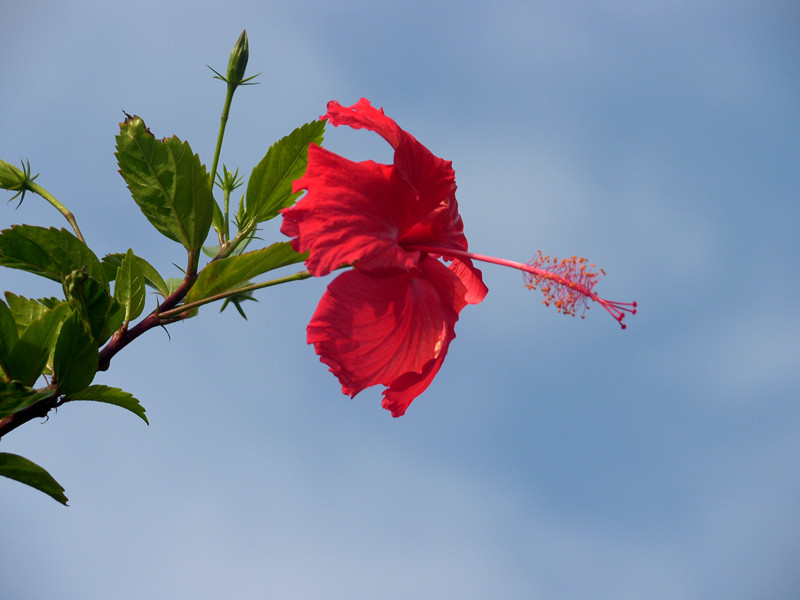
x: 167, y: 181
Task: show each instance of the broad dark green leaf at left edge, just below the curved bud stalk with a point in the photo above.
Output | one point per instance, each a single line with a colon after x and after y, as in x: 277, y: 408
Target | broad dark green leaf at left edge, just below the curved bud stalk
x: 50, y: 253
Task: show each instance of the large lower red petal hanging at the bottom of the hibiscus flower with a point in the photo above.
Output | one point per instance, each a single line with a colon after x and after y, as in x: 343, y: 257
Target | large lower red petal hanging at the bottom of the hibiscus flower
x: 392, y: 330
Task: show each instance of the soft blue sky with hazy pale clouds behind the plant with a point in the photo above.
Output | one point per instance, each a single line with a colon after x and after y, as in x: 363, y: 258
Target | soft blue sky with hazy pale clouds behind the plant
x: 552, y: 457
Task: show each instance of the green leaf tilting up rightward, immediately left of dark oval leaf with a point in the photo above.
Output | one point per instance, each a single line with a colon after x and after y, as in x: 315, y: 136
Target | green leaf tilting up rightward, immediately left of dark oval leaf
x: 35, y: 345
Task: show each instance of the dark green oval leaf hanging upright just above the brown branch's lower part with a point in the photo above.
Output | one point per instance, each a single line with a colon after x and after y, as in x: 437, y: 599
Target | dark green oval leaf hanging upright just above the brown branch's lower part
x: 76, y: 355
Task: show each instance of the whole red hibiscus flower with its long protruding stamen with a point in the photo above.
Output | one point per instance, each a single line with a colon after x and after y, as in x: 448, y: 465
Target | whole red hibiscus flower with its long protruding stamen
x: 391, y: 318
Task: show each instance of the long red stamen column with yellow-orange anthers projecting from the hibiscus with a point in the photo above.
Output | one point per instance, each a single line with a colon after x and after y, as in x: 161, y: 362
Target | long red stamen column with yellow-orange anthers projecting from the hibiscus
x: 568, y: 284
